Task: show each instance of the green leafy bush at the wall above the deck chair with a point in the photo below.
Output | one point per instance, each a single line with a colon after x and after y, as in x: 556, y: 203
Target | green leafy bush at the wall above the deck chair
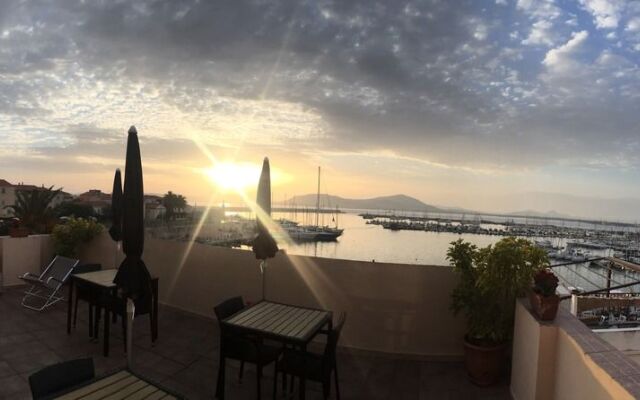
x: 68, y: 237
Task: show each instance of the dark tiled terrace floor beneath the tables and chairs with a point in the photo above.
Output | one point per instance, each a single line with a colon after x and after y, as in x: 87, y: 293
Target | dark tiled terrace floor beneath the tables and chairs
x: 185, y: 360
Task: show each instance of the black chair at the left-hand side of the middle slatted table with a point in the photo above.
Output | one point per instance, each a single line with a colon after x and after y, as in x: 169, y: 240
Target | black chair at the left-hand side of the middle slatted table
x: 240, y: 347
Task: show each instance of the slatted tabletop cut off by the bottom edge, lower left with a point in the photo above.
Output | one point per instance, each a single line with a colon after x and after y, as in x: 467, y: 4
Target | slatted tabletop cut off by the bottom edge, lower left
x: 119, y: 385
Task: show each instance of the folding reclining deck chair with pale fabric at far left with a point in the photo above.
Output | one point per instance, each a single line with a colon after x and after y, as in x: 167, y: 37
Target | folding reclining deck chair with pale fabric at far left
x: 45, y: 287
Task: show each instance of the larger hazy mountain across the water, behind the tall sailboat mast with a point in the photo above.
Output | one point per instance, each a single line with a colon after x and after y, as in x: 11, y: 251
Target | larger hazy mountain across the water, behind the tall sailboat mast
x: 398, y: 202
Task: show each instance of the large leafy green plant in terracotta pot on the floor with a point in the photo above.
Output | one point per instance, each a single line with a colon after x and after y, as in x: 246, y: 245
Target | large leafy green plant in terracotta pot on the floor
x: 491, y: 278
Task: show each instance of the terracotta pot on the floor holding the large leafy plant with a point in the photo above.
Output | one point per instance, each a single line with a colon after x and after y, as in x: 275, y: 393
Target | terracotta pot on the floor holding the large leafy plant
x: 485, y: 364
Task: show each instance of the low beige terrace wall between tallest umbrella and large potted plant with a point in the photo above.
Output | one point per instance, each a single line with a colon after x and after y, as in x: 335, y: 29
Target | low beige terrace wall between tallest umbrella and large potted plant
x: 391, y: 307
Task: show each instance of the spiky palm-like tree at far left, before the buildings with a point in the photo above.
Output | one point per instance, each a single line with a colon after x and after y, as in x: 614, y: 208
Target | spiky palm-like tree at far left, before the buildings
x: 33, y: 208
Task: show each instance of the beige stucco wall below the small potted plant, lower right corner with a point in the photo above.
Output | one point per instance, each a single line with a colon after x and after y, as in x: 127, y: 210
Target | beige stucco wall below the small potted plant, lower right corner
x: 565, y: 360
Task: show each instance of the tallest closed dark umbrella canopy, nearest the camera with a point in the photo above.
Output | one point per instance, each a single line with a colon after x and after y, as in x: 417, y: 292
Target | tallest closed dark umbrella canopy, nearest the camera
x: 133, y: 277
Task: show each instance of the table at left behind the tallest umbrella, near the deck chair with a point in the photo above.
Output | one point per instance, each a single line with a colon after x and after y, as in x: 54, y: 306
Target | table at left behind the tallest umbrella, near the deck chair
x: 102, y: 283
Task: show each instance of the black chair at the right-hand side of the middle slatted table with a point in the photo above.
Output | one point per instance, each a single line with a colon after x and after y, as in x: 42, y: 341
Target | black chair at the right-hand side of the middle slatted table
x: 314, y: 367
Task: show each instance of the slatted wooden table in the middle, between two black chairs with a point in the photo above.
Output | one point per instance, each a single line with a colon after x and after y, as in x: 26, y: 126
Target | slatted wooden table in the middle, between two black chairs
x: 280, y: 322
